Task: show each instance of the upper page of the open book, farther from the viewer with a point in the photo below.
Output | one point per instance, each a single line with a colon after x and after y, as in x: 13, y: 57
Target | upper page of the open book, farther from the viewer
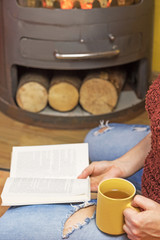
x: 49, y: 161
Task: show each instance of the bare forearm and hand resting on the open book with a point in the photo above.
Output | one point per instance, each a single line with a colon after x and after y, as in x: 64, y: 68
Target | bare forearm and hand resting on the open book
x: 123, y: 167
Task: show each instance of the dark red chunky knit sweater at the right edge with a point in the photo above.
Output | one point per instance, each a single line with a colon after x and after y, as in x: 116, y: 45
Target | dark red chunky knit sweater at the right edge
x: 151, y: 175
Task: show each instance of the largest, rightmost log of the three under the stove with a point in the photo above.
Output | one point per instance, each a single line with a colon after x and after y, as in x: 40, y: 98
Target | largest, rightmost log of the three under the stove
x: 99, y: 92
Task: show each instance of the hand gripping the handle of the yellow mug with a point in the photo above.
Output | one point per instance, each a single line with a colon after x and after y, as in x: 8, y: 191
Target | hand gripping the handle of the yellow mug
x: 144, y: 225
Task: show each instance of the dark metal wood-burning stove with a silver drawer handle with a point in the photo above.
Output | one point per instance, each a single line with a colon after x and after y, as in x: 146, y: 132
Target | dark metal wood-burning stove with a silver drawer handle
x: 70, y: 40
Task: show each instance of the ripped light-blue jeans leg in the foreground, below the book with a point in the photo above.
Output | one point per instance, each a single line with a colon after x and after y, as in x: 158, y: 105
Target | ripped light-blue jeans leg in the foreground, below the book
x: 45, y: 222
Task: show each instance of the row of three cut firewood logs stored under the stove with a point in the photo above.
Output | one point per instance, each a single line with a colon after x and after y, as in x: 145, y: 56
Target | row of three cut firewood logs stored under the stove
x: 97, y: 94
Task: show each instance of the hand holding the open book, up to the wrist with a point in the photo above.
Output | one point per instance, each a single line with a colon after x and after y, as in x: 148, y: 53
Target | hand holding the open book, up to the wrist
x: 99, y: 171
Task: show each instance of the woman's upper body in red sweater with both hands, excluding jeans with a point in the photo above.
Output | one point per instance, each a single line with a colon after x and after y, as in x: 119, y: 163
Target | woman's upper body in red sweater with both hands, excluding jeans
x: 146, y: 224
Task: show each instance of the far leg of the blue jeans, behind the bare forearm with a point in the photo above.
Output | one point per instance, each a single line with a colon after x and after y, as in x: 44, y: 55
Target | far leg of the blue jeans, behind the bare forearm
x: 115, y: 141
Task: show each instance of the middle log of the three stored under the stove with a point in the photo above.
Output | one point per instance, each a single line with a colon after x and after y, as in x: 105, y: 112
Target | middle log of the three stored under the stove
x: 64, y: 92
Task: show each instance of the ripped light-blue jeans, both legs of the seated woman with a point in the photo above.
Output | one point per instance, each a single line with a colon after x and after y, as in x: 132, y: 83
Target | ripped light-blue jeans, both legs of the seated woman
x: 47, y: 222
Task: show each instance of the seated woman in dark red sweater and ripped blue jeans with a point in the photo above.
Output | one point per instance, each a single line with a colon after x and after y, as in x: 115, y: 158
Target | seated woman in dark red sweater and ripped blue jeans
x: 56, y: 222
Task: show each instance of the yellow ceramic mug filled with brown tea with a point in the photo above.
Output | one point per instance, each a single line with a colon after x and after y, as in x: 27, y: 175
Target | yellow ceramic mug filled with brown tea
x: 114, y: 195
